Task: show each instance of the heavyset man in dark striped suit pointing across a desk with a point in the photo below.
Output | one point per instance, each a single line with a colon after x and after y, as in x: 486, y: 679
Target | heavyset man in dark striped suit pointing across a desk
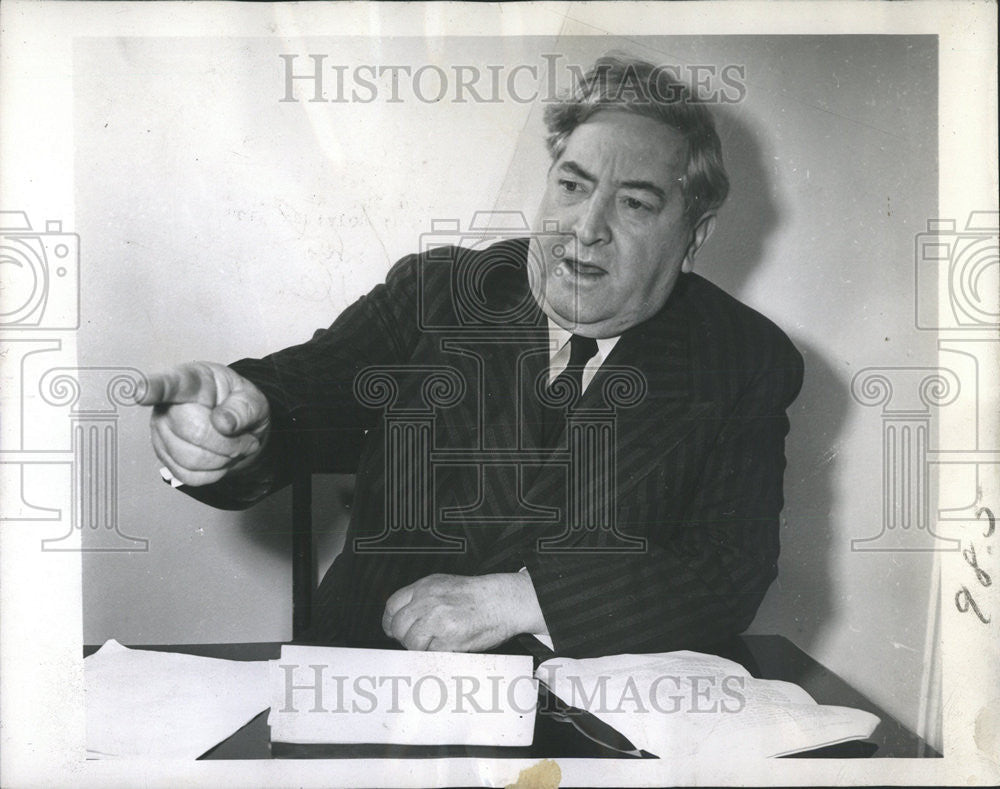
x: 670, y: 543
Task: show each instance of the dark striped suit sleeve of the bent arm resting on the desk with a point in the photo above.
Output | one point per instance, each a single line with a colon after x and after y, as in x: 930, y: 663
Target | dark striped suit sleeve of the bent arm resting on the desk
x: 701, y: 580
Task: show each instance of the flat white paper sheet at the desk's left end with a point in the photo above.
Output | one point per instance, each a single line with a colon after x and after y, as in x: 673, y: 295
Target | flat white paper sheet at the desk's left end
x: 141, y: 703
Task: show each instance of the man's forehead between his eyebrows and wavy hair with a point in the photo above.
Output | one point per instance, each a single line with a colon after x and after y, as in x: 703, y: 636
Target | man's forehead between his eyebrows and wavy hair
x: 635, y: 145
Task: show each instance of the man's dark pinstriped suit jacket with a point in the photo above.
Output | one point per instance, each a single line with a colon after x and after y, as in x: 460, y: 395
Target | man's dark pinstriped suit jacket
x: 684, y: 540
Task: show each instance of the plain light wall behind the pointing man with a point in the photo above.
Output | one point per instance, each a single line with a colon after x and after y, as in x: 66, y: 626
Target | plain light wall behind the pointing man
x: 217, y: 222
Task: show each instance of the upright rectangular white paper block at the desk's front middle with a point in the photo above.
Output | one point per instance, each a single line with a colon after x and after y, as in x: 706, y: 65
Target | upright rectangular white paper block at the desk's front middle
x: 333, y: 695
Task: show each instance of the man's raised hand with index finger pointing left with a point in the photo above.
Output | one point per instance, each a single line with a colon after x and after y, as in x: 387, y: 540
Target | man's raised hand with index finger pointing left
x: 207, y: 421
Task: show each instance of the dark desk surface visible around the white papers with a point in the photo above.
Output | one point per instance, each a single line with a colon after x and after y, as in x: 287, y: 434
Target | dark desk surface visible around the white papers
x: 766, y: 657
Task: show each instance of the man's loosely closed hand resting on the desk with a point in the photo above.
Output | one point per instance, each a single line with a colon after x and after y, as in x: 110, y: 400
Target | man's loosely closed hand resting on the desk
x: 458, y: 613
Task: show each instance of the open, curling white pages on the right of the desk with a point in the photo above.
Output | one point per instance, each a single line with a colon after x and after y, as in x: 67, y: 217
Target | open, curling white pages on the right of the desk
x: 690, y: 704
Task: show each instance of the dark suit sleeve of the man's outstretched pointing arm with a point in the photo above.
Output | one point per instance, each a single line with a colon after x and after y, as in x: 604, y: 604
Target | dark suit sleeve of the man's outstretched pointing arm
x: 316, y: 421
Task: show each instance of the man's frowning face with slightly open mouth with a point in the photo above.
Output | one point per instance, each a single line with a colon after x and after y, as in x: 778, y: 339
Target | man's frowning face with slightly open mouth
x: 617, y: 188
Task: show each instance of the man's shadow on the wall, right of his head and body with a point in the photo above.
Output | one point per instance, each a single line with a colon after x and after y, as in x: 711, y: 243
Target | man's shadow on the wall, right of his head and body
x: 800, y: 604
